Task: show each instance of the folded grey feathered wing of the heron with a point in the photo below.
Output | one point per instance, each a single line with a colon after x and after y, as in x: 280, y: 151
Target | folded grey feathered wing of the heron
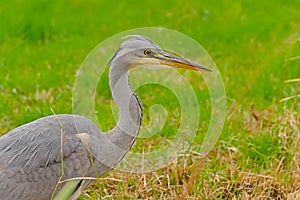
x: 30, y: 156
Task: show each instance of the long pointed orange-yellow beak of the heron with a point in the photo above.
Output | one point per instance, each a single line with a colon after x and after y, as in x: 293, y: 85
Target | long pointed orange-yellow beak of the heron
x: 175, y: 61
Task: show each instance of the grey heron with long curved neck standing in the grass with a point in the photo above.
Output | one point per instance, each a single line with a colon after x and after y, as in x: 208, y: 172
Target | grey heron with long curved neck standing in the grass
x: 31, y: 155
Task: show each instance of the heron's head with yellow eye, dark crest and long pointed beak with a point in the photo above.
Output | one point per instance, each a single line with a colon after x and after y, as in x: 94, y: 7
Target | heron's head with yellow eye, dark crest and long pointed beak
x: 140, y: 50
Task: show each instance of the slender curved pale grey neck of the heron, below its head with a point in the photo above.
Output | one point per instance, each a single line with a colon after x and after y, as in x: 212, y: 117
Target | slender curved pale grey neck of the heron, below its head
x: 130, y: 110
